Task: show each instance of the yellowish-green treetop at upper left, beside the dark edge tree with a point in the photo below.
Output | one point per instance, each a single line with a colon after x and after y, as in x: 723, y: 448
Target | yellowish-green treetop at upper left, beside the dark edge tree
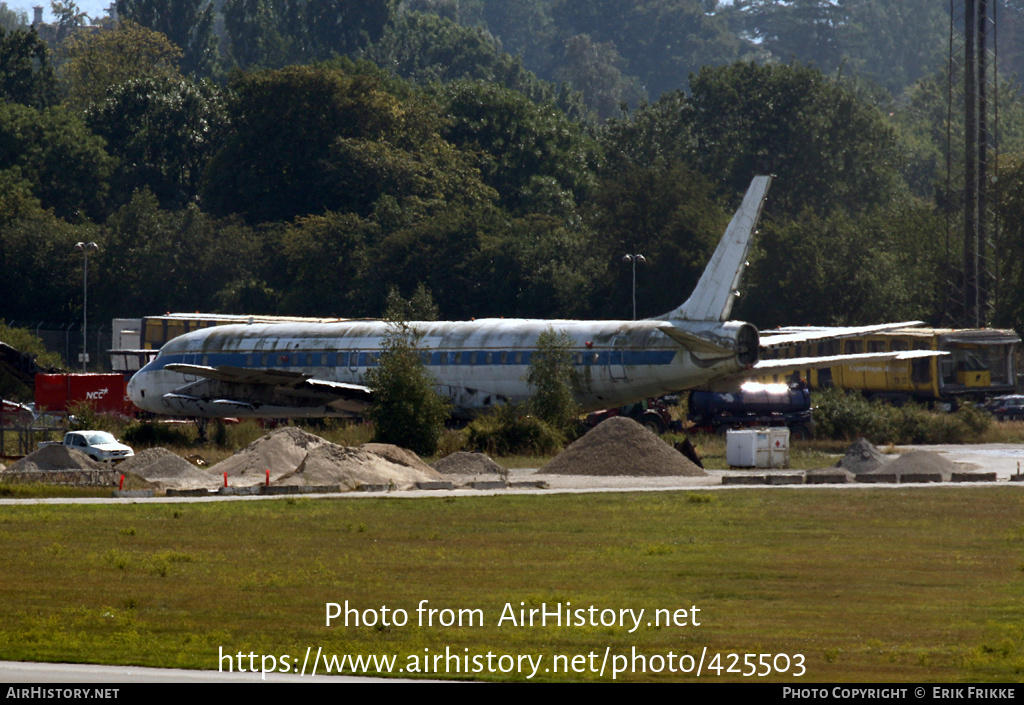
x: 99, y: 62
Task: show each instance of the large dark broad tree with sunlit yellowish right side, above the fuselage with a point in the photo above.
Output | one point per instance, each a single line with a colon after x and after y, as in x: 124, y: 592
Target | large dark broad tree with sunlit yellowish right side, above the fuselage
x: 344, y: 138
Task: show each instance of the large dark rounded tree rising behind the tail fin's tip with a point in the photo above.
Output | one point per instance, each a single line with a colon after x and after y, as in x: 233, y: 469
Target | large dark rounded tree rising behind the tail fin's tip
x: 828, y: 147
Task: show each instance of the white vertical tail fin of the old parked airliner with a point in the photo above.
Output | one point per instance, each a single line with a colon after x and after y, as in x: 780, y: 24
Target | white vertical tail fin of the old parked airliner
x: 712, y: 300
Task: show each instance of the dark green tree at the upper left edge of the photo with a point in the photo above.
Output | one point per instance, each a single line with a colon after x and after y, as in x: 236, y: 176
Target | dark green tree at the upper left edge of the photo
x: 26, y: 74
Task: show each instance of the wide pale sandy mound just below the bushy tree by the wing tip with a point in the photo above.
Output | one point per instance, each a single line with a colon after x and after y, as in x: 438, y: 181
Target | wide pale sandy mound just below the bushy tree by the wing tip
x: 333, y: 465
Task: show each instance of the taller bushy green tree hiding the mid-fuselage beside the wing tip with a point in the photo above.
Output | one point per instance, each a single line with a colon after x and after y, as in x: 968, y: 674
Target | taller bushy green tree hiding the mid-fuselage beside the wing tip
x: 407, y: 410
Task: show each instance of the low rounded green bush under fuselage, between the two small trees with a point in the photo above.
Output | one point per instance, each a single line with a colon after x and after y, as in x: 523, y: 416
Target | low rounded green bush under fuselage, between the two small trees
x: 507, y: 431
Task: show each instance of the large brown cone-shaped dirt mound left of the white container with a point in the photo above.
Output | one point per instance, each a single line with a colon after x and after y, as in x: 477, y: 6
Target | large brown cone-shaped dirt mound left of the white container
x: 622, y: 447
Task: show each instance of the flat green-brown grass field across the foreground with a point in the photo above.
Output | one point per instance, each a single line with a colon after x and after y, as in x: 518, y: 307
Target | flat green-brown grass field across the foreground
x: 869, y: 586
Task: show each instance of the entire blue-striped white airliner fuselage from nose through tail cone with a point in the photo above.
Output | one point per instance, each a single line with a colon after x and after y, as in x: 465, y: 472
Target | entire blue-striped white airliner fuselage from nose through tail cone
x: 477, y: 364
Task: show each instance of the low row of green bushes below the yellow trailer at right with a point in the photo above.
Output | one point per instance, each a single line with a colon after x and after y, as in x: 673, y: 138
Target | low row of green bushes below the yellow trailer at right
x: 848, y: 416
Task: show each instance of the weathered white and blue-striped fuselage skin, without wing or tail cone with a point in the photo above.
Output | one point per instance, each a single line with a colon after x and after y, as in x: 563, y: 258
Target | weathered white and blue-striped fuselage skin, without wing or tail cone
x: 477, y: 364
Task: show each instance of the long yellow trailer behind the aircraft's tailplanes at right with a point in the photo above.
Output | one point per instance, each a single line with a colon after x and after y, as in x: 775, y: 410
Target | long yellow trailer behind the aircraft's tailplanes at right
x: 982, y: 363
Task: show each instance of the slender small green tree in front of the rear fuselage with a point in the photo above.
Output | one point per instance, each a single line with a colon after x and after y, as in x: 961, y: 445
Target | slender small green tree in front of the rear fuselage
x: 553, y: 380
